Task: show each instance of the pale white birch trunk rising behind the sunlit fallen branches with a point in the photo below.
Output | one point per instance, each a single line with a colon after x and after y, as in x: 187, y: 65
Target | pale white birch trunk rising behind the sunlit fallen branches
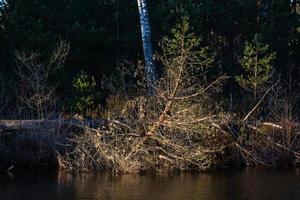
x: 147, y: 46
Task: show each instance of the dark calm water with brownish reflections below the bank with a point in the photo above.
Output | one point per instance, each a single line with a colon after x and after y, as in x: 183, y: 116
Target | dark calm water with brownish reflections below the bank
x: 246, y: 184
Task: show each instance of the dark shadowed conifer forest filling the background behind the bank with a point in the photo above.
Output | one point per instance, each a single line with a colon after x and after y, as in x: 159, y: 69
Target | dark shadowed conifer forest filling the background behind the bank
x: 105, y: 34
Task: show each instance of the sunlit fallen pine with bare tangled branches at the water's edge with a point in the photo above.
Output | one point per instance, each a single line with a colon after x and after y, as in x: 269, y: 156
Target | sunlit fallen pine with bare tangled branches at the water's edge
x: 172, y: 129
